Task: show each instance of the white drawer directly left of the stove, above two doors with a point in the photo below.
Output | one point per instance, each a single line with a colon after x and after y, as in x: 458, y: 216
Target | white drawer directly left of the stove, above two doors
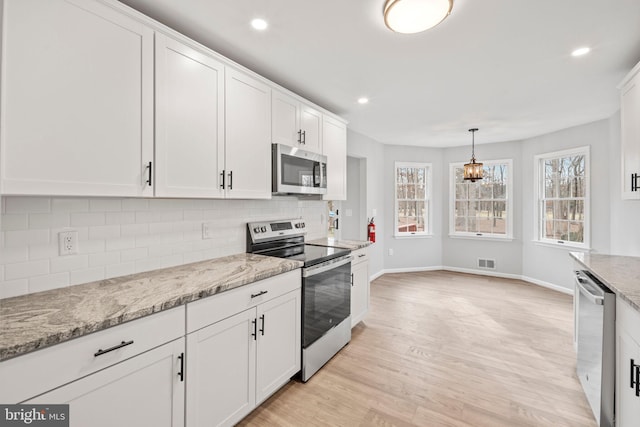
x: 217, y: 307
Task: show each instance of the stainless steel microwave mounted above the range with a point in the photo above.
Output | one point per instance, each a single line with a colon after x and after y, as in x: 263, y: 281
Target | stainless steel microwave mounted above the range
x: 296, y: 171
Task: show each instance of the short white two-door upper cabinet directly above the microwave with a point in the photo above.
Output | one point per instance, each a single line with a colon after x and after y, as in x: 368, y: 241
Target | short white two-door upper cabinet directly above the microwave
x: 295, y: 124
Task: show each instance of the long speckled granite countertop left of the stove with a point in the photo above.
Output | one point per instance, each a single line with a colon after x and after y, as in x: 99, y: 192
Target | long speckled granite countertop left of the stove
x: 33, y: 321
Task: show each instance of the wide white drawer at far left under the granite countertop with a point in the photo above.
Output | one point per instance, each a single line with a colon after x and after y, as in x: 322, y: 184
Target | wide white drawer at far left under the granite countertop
x: 40, y: 371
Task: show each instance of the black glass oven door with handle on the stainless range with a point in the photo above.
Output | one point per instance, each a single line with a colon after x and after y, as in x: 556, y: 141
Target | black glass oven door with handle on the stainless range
x: 326, y: 298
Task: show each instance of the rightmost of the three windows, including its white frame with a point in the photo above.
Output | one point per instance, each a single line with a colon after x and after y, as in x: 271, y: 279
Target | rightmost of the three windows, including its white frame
x: 563, y: 194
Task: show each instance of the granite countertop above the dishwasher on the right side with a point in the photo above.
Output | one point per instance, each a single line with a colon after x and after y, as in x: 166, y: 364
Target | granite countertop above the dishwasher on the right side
x: 620, y: 273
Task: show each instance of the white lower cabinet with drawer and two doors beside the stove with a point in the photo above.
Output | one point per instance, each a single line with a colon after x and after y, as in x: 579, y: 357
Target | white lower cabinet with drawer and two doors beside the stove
x: 249, y: 350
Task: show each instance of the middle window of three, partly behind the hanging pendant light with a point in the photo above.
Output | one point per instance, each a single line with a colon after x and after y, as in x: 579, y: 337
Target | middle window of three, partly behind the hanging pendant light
x: 482, y: 208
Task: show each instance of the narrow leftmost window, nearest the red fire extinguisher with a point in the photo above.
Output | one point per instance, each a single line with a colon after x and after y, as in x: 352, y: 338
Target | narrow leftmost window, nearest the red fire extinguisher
x: 413, y: 182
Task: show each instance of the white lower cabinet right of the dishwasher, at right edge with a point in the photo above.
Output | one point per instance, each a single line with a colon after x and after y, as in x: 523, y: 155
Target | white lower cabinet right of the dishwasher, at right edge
x: 627, y: 365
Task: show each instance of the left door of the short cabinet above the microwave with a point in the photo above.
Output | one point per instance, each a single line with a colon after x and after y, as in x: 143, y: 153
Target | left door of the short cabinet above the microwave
x: 285, y: 119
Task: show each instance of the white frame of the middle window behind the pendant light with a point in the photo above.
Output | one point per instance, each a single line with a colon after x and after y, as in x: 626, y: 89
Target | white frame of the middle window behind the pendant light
x: 508, y: 236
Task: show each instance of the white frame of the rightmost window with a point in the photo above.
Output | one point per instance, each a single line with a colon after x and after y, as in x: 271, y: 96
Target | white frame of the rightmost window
x: 538, y: 182
